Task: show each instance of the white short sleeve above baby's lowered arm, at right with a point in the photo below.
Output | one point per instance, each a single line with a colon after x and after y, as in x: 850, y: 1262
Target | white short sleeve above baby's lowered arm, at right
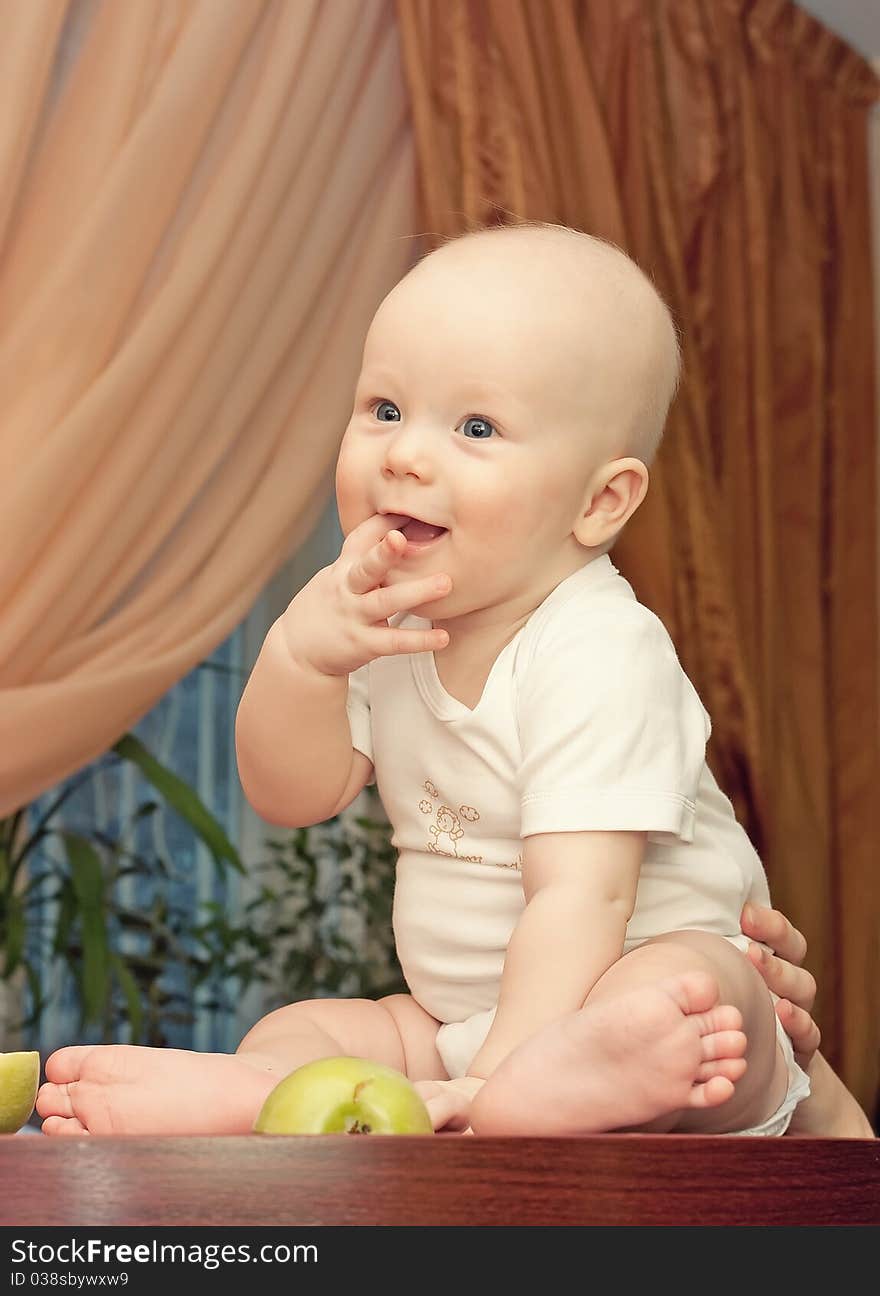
x: 614, y: 734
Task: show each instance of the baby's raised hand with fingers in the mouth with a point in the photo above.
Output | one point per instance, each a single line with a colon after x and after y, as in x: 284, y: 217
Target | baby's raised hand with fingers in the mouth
x: 339, y: 621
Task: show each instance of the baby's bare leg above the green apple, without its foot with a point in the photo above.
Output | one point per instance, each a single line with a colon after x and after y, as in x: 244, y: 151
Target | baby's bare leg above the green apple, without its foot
x: 395, y: 1031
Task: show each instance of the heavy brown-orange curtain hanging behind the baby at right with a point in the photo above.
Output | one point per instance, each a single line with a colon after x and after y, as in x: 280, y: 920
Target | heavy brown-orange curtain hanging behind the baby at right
x: 724, y: 145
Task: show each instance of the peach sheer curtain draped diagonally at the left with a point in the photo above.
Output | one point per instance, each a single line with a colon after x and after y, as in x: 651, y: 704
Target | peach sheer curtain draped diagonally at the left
x: 202, y: 205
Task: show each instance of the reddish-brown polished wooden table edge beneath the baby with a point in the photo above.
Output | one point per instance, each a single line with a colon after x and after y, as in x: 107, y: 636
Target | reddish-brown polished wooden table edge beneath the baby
x: 270, y: 1181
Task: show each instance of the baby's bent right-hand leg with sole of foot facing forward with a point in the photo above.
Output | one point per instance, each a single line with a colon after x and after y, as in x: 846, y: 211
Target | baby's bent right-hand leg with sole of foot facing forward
x: 659, y: 1045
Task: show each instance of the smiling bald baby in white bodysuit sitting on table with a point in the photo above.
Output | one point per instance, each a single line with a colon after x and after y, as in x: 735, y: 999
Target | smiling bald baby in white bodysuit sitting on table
x: 571, y: 878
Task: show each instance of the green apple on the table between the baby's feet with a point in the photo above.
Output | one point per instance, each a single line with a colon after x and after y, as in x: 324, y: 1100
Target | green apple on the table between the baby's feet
x: 344, y: 1096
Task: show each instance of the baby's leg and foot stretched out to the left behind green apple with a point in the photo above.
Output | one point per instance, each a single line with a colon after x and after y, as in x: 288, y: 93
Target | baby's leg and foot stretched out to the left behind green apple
x: 122, y: 1089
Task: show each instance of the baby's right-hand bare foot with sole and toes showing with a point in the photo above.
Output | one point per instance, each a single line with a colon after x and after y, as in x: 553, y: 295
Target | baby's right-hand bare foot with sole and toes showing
x: 619, y: 1063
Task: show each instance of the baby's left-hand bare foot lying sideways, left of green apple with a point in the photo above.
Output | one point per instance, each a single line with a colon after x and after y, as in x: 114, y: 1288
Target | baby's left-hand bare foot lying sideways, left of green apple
x: 125, y: 1089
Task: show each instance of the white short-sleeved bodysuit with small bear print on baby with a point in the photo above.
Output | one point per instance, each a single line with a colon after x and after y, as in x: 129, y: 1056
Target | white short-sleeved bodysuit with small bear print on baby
x: 586, y: 723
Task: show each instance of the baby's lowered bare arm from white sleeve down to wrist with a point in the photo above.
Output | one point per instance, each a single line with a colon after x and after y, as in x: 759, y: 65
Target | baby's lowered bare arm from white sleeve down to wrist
x: 580, y: 890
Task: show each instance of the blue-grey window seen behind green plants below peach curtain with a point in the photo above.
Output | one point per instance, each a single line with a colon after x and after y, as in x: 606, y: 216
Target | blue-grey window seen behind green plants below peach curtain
x: 191, y: 732
